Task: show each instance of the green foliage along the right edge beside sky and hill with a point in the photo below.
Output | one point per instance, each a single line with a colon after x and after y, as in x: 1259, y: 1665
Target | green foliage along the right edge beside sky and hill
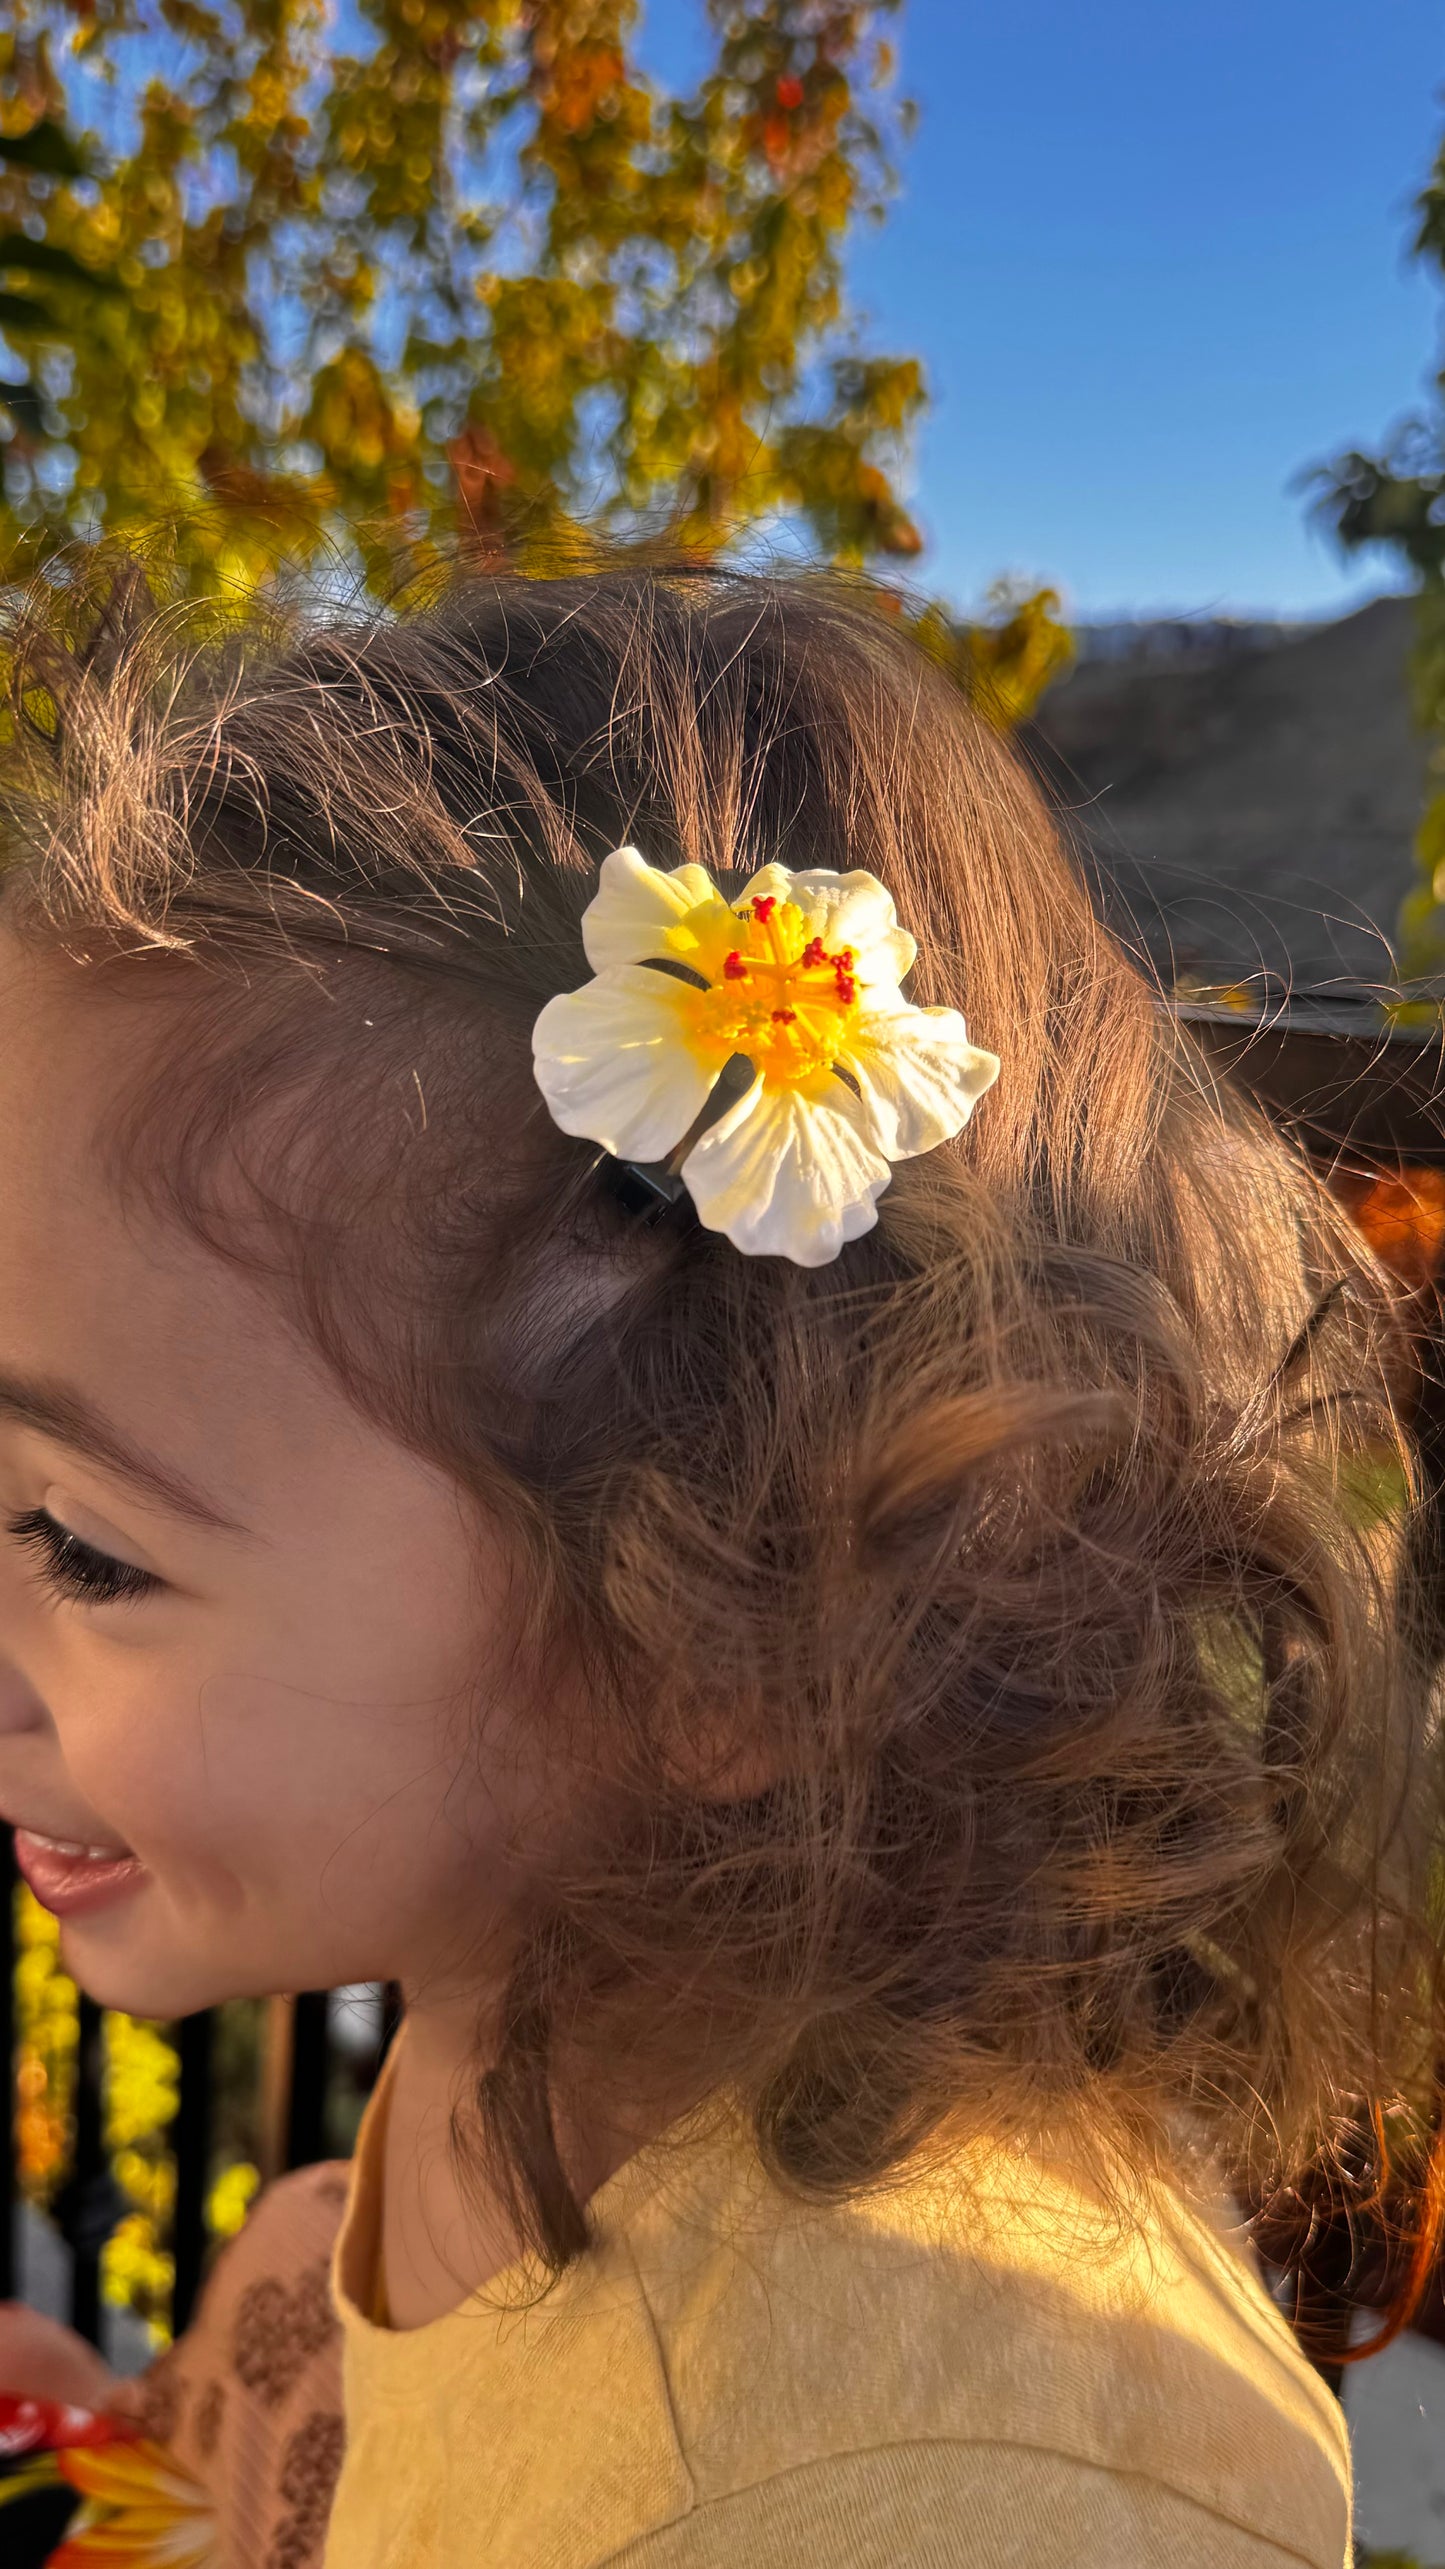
x: 1397, y: 500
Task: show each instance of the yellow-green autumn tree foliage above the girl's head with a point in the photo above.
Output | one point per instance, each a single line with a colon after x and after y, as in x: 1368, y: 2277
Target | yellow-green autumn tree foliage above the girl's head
x: 408, y: 284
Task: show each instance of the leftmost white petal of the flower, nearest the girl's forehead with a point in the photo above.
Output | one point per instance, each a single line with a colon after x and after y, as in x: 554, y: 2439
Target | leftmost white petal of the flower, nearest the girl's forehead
x: 616, y: 1067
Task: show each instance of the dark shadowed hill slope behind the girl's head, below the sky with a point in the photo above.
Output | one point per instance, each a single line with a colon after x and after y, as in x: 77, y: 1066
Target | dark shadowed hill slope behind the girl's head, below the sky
x: 1251, y: 813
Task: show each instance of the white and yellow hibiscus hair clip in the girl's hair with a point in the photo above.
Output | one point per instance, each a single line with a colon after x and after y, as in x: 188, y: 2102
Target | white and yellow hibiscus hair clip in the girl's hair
x: 757, y: 1055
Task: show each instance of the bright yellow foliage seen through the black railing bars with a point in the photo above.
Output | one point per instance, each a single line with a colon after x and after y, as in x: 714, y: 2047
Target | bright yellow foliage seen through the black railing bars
x: 143, y: 2085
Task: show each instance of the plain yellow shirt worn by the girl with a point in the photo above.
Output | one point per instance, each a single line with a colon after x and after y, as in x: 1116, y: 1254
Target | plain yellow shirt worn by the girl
x: 960, y: 2370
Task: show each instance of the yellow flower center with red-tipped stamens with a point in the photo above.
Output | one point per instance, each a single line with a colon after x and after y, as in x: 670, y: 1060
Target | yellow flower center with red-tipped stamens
x: 775, y: 993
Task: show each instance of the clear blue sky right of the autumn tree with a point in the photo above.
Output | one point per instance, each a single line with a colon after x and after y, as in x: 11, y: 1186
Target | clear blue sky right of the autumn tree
x: 1153, y: 261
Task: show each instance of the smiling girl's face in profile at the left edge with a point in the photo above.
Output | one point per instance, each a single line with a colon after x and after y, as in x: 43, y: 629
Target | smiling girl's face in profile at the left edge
x: 243, y: 1633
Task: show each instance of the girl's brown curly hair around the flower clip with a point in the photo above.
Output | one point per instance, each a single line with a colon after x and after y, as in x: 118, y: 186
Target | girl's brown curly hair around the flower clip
x: 1030, y: 1574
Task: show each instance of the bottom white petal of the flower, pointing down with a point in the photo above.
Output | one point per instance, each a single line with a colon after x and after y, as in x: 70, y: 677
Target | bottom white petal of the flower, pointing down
x: 788, y: 1173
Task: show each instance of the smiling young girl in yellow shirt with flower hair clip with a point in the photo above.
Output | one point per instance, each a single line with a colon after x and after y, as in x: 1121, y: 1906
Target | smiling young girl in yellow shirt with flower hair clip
x: 644, y: 1389
